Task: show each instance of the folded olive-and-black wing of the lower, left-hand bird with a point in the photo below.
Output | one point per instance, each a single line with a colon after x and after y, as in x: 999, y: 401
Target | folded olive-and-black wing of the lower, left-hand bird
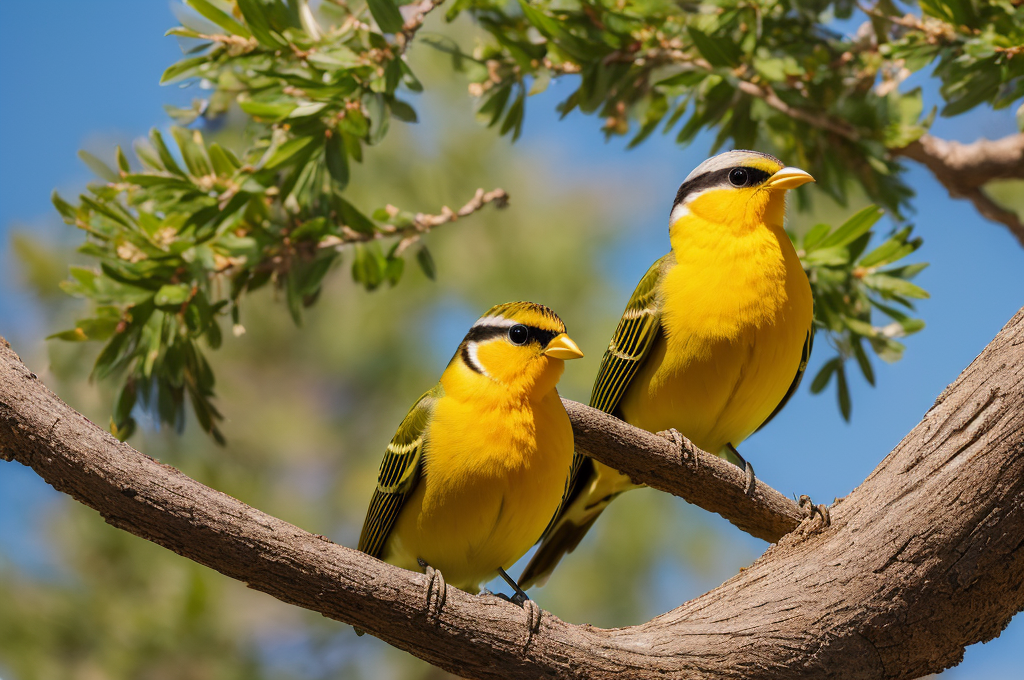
x: 399, y: 476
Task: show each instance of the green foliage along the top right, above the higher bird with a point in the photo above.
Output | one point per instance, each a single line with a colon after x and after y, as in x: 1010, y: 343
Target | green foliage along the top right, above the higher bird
x: 763, y: 74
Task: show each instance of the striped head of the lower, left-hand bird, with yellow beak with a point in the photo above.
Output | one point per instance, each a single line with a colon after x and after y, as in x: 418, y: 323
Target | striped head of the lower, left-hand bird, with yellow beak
x: 520, y: 345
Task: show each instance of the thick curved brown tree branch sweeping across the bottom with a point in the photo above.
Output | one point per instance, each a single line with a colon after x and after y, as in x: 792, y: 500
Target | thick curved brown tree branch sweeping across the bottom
x: 925, y: 558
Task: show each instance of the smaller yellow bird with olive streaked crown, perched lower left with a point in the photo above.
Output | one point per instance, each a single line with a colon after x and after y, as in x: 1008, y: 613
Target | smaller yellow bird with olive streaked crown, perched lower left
x: 481, y: 464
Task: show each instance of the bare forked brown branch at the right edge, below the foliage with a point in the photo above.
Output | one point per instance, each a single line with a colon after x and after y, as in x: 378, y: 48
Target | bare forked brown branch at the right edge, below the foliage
x: 964, y: 169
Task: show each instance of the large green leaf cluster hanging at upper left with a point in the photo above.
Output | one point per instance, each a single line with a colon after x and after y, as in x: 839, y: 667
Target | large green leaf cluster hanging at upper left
x: 182, y: 239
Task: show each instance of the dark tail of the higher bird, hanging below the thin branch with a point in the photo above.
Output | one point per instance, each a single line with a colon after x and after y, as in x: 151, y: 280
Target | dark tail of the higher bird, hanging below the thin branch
x: 598, y: 486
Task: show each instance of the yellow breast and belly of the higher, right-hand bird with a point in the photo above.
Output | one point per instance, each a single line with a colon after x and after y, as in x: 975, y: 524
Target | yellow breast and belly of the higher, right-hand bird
x: 737, y: 309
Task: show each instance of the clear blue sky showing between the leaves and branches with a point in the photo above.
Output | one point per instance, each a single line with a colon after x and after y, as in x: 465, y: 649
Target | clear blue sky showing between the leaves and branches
x: 86, y: 75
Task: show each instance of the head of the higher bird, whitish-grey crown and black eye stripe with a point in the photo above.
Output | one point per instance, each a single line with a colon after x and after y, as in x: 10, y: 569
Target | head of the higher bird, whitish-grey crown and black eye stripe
x: 739, y: 189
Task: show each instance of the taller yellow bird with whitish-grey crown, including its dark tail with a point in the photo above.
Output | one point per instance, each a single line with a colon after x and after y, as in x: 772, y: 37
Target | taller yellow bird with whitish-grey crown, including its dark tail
x: 714, y: 341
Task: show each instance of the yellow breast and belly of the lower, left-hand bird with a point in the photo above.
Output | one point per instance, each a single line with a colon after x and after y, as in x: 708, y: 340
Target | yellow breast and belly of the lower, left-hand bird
x: 494, y: 473
